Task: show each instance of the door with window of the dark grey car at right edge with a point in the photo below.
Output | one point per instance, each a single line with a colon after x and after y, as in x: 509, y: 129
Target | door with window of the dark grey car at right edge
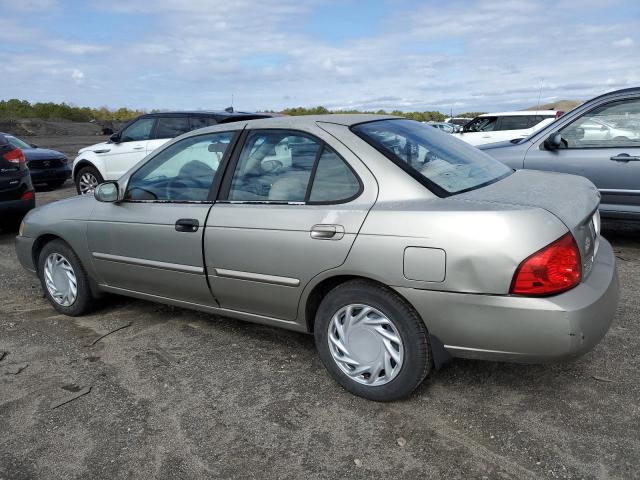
x: 603, y: 145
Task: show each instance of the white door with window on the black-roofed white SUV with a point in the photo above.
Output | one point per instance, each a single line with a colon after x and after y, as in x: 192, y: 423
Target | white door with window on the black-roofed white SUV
x: 120, y: 157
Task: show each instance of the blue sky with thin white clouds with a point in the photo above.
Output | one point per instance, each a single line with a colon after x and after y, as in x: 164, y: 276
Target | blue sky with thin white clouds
x: 409, y: 55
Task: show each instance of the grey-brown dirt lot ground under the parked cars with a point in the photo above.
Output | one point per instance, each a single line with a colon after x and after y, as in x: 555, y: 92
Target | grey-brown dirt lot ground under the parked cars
x: 180, y: 394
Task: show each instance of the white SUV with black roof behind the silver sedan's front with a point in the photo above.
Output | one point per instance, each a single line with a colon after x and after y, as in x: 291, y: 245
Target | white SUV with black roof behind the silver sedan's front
x: 109, y: 160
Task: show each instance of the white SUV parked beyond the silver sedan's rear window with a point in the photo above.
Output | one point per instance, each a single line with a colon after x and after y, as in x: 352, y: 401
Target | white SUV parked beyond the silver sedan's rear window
x: 498, y: 127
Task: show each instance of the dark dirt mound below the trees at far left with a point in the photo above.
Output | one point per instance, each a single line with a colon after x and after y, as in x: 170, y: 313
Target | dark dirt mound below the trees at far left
x: 37, y: 127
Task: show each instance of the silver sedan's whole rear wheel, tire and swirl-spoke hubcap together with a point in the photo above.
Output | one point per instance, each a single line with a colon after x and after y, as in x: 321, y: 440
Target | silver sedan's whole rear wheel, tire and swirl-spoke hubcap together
x: 372, y: 341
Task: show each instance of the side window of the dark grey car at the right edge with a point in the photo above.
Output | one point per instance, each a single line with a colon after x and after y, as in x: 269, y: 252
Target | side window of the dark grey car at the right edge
x: 613, y: 125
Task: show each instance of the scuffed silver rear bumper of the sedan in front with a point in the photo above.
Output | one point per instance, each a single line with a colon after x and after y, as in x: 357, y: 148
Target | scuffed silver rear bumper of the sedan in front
x: 524, y: 329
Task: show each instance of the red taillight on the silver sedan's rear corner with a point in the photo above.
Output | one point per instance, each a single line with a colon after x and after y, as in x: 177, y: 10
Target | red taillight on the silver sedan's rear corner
x: 554, y: 269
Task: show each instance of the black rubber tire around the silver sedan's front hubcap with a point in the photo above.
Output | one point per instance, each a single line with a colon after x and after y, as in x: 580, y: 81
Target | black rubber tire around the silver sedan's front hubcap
x: 84, y: 299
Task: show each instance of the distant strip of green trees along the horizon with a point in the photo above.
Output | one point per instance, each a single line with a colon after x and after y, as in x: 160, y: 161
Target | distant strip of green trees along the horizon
x: 14, y: 109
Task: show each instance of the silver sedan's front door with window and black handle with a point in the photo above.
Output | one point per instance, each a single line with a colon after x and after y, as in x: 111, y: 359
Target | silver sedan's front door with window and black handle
x: 151, y: 242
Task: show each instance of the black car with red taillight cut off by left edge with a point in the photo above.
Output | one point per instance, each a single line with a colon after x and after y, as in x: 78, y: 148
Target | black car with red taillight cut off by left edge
x: 16, y: 190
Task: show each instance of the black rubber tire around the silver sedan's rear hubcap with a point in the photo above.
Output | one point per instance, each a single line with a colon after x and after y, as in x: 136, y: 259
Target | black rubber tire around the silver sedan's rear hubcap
x: 417, y: 362
